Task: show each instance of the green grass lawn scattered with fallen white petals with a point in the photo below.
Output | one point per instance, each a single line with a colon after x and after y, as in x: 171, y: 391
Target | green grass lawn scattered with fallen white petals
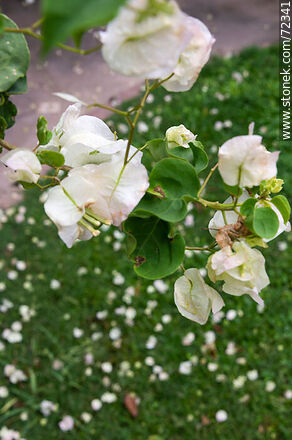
x: 172, y: 406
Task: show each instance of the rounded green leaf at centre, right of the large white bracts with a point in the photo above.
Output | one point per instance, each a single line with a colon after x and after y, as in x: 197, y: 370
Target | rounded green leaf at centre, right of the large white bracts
x: 175, y: 177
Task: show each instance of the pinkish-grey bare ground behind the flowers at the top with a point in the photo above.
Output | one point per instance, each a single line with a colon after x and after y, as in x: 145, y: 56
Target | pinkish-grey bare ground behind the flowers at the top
x: 234, y: 23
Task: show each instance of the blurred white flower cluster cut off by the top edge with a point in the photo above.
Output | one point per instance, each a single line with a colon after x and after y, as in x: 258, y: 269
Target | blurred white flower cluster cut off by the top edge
x: 155, y: 39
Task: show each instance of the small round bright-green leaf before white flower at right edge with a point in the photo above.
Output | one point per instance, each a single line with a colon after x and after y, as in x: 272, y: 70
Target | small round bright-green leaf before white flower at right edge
x: 265, y: 222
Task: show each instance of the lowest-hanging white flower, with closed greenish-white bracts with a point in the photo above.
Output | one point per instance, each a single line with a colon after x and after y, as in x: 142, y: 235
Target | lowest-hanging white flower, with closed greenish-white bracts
x: 194, y: 298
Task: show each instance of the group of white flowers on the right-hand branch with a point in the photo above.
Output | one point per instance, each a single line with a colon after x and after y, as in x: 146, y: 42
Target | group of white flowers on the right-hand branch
x: 243, y: 161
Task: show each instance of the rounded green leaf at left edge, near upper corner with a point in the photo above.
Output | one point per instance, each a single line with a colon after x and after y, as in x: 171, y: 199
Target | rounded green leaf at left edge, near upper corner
x: 14, y: 56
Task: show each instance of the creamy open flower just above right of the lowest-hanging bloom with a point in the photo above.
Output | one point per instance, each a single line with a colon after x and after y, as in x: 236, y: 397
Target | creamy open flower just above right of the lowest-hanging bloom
x: 241, y: 268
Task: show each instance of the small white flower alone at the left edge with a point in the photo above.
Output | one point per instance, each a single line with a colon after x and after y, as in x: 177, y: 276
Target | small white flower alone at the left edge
x: 23, y: 165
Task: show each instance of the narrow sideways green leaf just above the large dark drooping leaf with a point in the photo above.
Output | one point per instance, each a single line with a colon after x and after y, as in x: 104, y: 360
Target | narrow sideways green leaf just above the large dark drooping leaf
x: 169, y: 210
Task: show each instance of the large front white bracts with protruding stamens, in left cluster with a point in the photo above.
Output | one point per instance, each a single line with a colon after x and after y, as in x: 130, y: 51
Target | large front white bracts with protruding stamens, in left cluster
x: 109, y: 190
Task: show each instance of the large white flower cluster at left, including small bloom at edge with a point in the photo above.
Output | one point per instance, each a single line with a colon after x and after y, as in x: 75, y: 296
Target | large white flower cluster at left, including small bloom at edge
x: 99, y: 188
